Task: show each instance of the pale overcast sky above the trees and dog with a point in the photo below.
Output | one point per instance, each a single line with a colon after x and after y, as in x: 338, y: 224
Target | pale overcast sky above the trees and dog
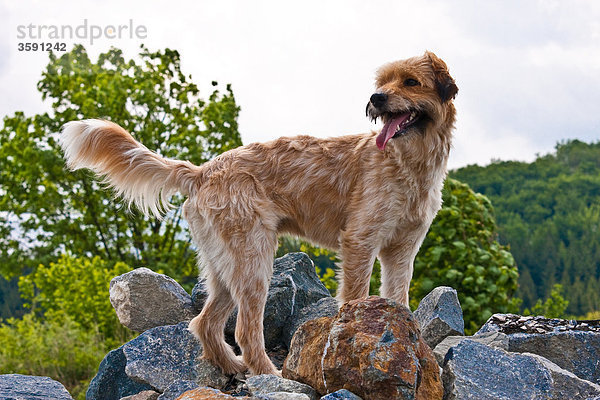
x: 528, y: 71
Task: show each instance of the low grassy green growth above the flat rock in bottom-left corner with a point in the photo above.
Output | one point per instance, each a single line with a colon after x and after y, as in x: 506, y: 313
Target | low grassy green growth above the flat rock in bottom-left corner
x: 60, y: 349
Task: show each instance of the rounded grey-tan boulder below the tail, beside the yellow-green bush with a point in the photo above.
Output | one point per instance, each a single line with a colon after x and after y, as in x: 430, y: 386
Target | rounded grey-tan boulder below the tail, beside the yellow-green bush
x: 144, y: 299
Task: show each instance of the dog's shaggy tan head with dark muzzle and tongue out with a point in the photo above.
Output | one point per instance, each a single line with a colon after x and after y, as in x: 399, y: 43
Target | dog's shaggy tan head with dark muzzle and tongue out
x: 412, y: 96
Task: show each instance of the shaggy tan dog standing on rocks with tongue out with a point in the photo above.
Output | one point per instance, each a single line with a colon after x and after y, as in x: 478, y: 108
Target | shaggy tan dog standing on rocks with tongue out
x: 365, y: 196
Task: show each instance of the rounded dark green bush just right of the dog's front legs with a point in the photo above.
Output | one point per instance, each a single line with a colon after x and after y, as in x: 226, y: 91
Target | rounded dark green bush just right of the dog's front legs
x: 461, y: 251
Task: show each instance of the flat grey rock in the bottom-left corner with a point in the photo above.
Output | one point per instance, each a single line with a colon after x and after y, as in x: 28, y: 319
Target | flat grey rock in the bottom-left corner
x: 26, y: 387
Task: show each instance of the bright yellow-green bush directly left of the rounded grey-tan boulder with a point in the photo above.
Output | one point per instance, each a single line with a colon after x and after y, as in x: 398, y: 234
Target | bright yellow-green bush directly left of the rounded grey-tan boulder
x: 78, y: 288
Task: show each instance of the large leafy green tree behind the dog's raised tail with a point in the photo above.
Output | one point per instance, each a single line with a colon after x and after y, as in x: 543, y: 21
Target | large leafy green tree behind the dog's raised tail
x: 54, y: 211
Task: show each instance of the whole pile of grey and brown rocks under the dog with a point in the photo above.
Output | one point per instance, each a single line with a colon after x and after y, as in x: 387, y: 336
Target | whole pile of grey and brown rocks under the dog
x: 370, y: 349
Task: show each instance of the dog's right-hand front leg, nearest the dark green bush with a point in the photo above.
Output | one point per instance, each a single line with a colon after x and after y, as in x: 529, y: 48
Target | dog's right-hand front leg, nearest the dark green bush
x: 397, y: 265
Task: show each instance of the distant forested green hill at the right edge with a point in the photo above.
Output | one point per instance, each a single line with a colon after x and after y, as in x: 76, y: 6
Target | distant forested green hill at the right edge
x: 548, y: 211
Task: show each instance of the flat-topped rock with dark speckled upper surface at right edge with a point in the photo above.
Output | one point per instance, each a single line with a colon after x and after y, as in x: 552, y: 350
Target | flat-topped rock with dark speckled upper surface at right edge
x: 572, y: 345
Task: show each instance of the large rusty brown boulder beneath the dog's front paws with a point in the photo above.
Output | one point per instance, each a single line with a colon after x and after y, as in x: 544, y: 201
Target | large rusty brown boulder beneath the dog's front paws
x: 372, y: 348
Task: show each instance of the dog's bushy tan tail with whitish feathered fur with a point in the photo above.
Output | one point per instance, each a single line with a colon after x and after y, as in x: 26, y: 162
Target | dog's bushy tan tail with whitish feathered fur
x: 137, y: 174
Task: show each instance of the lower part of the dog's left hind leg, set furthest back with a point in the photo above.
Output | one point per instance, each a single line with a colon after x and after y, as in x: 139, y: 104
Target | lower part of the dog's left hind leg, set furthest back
x: 209, y: 326
